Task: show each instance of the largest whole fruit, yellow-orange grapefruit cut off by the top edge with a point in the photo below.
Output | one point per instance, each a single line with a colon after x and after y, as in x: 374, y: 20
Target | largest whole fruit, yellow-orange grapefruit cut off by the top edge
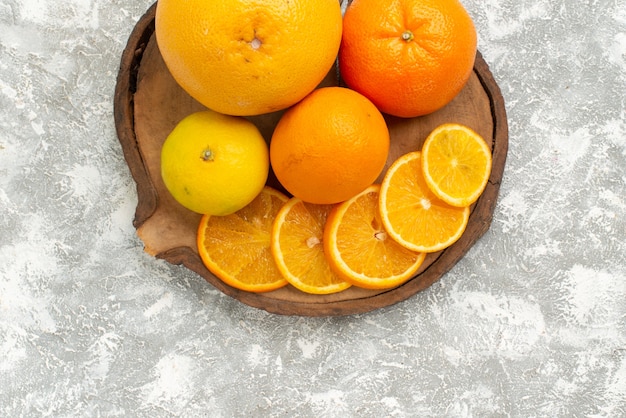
x: 248, y: 57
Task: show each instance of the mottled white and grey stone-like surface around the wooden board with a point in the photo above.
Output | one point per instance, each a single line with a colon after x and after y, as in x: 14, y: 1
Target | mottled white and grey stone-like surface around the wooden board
x: 532, y: 322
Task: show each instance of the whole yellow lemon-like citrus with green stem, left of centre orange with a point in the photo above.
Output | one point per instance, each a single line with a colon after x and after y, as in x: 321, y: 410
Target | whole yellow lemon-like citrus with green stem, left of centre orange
x: 214, y: 164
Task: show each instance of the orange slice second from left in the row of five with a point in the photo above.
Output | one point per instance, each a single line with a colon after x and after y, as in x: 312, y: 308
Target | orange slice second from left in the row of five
x: 298, y: 249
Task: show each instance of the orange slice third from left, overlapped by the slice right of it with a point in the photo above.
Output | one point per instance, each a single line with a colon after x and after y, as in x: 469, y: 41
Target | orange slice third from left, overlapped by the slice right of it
x: 359, y: 249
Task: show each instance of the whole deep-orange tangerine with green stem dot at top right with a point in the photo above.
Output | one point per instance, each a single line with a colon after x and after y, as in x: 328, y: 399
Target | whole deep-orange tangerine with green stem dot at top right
x: 410, y: 57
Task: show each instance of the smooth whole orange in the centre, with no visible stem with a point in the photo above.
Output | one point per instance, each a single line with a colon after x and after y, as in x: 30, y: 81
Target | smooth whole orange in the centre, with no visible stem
x: 330, y: 146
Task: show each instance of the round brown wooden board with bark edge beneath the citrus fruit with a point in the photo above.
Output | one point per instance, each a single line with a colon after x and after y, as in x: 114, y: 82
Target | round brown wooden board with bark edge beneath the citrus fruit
x: 149, y: 103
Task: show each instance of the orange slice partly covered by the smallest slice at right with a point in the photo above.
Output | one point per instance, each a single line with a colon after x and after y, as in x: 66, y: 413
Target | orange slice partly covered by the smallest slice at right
x: 412, y: 214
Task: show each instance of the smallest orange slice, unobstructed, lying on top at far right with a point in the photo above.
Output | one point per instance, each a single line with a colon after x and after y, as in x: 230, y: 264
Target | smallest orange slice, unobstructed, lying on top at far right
x: 456, y: 163
